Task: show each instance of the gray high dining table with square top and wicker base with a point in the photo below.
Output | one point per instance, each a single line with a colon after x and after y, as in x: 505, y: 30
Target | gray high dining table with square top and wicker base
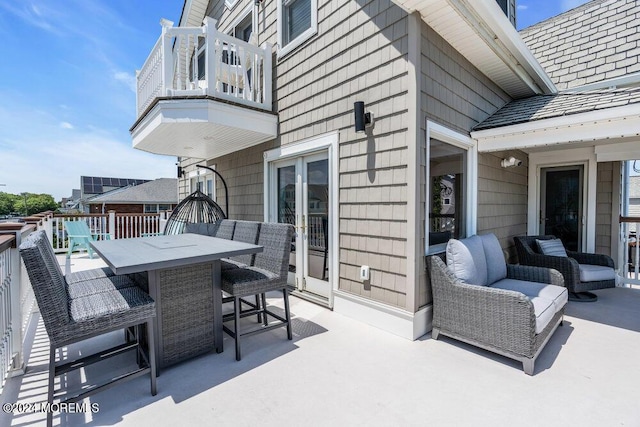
x: 184, y: 279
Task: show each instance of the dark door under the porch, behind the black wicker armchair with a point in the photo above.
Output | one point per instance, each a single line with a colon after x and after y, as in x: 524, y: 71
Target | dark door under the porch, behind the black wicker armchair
x: 562, y: 204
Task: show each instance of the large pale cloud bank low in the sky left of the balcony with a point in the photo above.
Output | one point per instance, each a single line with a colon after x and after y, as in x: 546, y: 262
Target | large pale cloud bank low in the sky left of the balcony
x: 47, y: 158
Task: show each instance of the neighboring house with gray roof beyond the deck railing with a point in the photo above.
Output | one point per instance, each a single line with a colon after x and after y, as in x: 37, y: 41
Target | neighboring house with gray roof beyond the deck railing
x: 160, y: 195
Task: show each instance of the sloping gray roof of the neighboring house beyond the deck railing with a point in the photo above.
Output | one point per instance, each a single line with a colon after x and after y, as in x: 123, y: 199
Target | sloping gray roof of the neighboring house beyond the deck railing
x: 162, y: 190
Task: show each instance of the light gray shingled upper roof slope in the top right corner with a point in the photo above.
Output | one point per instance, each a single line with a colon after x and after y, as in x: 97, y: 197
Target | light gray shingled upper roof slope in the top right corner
x: 597, y: 41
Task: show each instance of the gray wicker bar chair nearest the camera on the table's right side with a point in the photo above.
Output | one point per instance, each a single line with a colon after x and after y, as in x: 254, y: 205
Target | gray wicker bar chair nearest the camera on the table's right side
x: 267, y: 273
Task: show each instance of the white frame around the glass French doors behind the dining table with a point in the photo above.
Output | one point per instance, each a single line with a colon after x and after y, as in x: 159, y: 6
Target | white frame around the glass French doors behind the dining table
x: 329, y: 142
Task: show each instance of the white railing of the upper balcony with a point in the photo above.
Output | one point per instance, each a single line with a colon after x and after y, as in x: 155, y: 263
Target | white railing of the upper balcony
x: 188, y: 61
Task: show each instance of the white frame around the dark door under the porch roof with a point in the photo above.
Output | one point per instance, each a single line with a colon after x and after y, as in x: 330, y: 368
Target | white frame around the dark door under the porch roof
x: 558, y: 158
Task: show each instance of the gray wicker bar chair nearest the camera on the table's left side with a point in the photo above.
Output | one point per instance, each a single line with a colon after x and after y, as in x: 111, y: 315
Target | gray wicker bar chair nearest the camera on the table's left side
x: 91, y: 313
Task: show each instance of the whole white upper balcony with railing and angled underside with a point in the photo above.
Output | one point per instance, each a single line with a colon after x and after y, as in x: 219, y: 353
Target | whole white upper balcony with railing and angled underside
x: 202, y: 93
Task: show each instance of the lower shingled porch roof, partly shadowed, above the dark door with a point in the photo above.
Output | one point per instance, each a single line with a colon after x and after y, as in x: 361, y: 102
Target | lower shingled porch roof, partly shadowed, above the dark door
x: 562, y: 104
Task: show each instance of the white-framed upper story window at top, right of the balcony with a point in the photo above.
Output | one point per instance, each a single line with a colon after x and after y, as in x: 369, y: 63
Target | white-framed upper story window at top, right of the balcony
x: 298, y: 21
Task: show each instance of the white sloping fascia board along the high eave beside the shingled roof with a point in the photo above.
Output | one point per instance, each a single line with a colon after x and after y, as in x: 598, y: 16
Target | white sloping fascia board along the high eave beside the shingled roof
x: 508, y: 44
